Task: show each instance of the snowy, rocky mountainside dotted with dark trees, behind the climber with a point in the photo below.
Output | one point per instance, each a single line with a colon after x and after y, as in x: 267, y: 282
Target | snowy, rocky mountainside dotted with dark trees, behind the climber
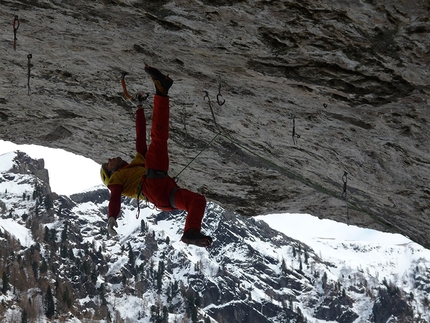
x: 253, y: 273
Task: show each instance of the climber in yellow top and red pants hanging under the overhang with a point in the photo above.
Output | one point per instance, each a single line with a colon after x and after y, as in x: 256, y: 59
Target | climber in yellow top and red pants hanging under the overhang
x: 146, y: 175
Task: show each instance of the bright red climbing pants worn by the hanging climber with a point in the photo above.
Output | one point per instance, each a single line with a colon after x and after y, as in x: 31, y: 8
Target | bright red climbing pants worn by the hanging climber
x: 161, y: 190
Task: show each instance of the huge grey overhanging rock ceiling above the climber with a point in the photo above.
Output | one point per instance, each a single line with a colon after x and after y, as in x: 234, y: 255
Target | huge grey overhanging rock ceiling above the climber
x: 349, y: 77
